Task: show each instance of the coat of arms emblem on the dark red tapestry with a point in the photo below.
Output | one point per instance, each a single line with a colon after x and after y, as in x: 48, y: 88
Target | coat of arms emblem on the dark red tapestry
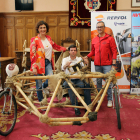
x: 92, y: 5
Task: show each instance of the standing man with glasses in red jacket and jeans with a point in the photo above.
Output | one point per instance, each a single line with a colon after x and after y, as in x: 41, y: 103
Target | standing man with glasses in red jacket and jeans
x: 105, y: 51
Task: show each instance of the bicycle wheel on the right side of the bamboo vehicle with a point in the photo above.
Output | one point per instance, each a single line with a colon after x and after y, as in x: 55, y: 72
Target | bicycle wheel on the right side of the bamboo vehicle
x: 117, y: 108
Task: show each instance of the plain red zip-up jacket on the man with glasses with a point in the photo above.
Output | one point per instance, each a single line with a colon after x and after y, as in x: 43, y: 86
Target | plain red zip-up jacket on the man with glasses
x: 104, y: 49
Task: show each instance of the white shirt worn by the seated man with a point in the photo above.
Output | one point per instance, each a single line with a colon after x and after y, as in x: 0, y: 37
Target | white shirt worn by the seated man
x: 73, y: 62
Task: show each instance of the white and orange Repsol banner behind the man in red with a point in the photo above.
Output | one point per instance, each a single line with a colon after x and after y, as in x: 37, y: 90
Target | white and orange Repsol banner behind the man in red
x: 118, y: 24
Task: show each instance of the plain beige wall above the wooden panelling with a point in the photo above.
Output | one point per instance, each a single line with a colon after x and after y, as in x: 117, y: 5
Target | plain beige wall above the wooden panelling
x: 56, y: 5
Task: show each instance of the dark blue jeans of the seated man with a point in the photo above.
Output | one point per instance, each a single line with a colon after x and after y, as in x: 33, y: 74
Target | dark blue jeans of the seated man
x: 81, y: 84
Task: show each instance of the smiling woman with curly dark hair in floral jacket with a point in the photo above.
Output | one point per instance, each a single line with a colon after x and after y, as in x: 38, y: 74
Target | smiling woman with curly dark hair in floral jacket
x: 41, y: 50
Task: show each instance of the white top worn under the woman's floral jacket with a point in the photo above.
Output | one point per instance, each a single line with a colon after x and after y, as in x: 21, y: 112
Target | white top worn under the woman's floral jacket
x: 47, y: 49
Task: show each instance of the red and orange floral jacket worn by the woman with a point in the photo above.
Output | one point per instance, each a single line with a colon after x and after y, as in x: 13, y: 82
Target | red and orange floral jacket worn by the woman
x: 37, y: 53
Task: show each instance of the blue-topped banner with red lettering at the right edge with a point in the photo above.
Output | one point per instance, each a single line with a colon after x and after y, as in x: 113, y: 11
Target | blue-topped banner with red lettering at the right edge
x: 135, y: 53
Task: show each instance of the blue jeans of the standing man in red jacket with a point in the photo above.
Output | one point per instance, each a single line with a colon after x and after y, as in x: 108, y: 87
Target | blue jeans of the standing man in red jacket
x: 103, y: 69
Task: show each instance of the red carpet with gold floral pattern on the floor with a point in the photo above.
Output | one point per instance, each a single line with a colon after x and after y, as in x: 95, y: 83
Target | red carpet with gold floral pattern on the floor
x: 105, y: 127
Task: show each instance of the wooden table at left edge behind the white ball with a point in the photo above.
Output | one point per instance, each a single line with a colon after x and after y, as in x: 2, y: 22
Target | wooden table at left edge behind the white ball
x: 4, y: 62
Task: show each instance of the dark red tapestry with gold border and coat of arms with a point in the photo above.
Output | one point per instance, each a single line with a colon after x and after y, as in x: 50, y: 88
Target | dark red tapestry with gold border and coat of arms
x: 80, y: 11
